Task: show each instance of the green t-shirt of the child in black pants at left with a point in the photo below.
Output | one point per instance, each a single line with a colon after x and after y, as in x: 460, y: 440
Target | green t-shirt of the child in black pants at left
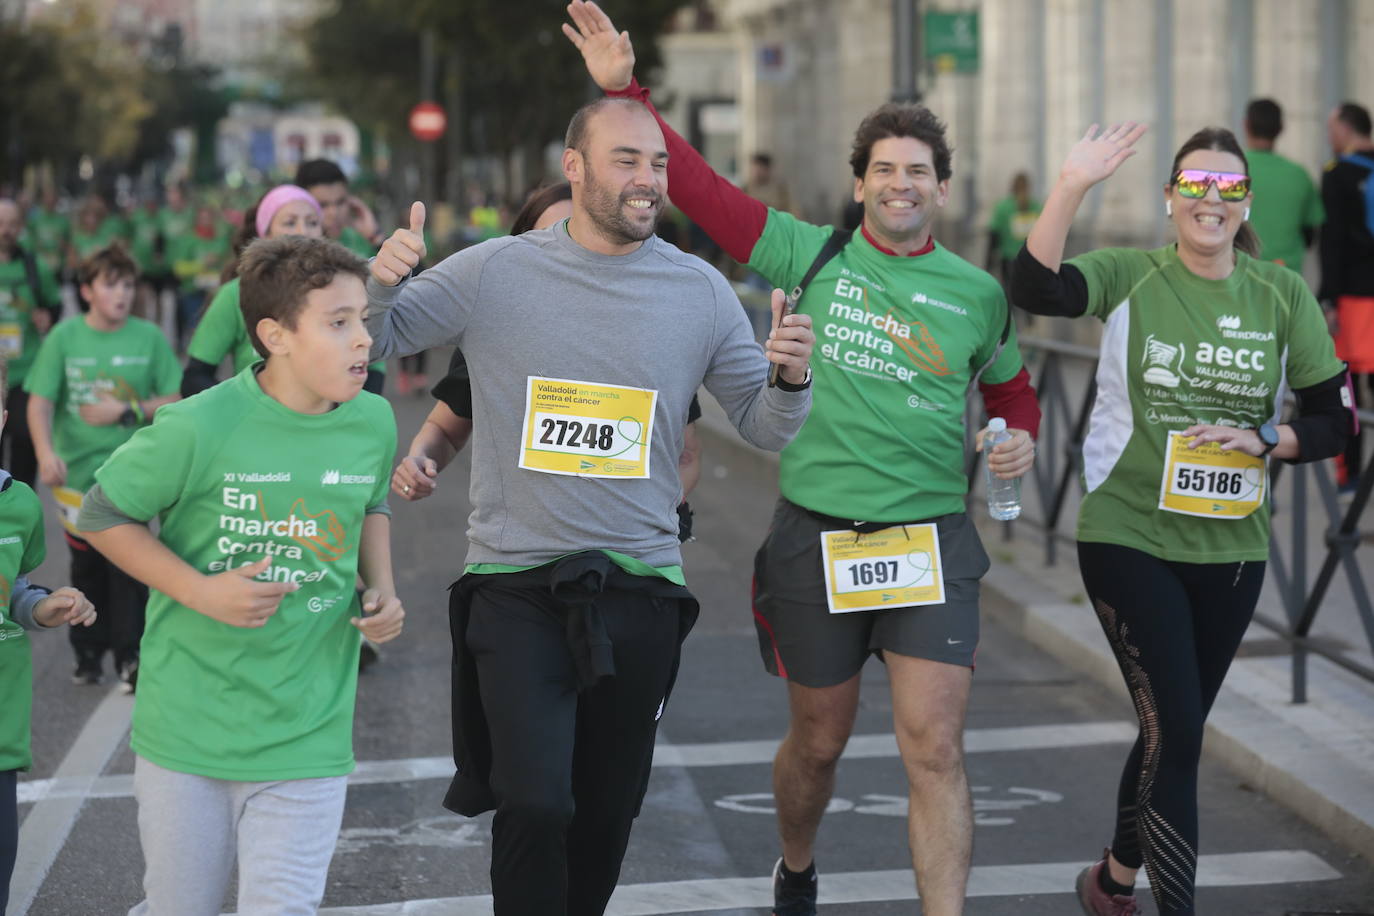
x: 76, y: 363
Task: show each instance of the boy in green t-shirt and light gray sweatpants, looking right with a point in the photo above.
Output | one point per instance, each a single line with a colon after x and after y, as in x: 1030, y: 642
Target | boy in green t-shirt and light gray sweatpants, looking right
x: 271, y: 496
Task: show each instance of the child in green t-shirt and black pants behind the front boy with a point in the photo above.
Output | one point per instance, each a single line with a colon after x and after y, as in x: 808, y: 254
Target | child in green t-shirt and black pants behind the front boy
x: 95, y: 380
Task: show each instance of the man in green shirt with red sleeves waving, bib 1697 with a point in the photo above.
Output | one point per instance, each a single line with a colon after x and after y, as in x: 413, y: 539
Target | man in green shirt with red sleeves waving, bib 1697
x: 873, y: 487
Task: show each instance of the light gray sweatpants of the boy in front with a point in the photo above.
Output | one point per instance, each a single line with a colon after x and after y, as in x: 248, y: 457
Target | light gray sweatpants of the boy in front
x: 192, y: 826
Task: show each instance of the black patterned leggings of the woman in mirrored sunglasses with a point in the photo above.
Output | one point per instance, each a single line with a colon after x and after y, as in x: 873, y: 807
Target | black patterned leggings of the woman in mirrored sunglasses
x: 1174, y: 630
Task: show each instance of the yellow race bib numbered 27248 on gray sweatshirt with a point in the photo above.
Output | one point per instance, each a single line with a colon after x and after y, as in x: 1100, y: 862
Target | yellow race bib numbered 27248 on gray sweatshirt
x: 586, y: 429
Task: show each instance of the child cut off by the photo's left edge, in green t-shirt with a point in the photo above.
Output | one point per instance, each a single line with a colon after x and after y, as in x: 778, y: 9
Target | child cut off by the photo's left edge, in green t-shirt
x: 23, y: 608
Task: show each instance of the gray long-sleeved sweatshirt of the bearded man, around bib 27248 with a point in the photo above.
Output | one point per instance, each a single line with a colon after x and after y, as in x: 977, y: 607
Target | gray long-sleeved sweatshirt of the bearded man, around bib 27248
x: 542, y: 306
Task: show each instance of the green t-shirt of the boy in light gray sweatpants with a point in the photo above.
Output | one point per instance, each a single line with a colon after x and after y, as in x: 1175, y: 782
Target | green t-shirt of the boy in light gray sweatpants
x: 237, y: 477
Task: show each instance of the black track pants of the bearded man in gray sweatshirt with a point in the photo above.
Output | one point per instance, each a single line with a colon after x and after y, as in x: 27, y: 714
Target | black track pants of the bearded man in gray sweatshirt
x: 568, y: 768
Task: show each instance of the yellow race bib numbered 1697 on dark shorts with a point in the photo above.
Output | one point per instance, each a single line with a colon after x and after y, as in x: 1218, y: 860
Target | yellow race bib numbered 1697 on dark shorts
x: 894, y: 568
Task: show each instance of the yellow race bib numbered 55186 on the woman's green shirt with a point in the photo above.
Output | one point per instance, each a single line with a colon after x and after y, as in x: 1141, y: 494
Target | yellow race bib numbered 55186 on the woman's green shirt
x: 1210, y: 483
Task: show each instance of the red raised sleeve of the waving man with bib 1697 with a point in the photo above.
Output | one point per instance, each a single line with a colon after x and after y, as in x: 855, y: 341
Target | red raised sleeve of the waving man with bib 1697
x: 732, y: 219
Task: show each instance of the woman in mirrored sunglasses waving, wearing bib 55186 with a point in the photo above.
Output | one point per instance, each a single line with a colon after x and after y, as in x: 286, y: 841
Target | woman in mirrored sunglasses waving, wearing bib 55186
x: 1199, y: 345
